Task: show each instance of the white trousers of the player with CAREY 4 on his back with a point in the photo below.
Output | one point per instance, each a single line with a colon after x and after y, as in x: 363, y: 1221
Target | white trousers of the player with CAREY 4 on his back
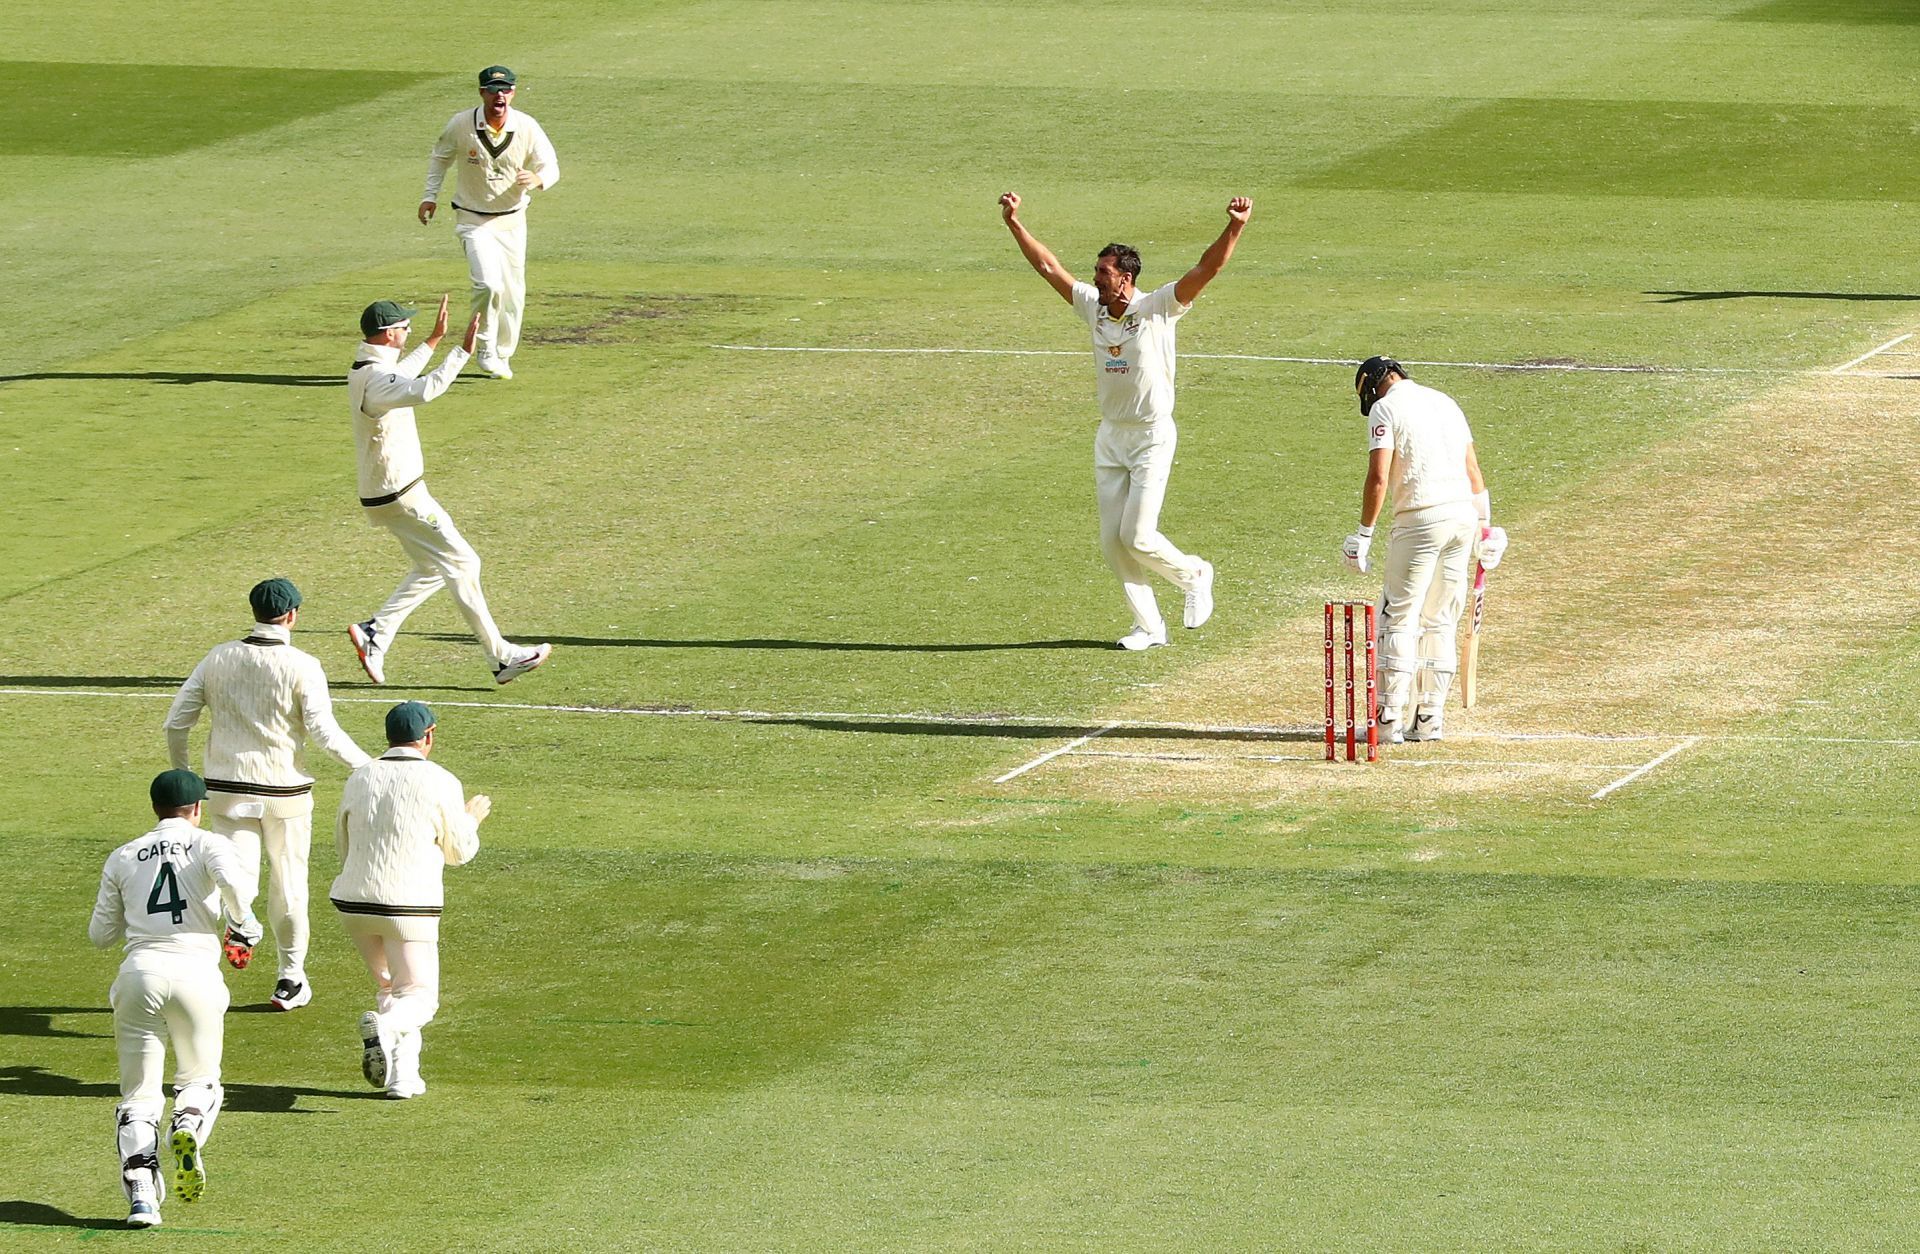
x: 162, y: 998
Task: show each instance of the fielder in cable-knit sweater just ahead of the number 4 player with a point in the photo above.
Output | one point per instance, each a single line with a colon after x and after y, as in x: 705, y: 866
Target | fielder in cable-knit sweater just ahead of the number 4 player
x: 266, y: 698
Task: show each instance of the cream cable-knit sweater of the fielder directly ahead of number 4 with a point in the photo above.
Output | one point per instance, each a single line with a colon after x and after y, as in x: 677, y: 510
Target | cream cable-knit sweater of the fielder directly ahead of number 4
x: 266, y: 700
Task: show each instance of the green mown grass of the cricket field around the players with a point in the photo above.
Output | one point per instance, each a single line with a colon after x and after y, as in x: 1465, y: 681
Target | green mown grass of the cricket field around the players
x: 815, y: 978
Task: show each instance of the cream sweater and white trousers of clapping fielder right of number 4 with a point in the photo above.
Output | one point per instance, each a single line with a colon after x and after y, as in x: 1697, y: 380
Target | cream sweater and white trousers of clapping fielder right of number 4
x: 402, y: 821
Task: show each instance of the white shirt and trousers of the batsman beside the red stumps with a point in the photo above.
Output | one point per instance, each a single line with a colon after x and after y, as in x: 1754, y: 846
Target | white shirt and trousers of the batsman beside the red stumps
x: 1431, y: 546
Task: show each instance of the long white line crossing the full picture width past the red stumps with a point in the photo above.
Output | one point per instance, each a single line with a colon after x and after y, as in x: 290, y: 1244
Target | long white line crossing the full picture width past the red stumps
x: 1015, y: 721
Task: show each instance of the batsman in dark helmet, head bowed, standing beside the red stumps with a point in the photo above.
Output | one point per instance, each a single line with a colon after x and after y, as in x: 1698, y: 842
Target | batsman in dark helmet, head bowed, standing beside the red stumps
x: 1420, y: 450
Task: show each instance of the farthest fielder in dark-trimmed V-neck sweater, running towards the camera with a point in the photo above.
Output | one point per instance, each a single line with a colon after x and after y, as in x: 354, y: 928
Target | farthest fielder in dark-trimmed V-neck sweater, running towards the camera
x: 504, y: 160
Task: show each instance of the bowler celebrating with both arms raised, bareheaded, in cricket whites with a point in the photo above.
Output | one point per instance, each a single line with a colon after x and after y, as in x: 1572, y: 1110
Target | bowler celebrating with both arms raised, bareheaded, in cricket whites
x: 1134, y: 448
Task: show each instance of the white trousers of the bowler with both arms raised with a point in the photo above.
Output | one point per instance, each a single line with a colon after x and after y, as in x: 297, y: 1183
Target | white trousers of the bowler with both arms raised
x: 1132, y: 464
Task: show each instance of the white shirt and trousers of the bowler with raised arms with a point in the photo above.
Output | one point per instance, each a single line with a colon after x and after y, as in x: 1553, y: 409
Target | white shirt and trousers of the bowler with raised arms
x: 1134, y: 448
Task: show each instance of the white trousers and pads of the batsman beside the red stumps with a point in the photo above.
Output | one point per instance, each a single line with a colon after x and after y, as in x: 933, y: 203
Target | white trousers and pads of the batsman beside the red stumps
x: 1426, y: 589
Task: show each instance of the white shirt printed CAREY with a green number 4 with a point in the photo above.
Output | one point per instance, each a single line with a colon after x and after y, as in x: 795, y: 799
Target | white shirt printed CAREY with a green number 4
x: 164, y: 892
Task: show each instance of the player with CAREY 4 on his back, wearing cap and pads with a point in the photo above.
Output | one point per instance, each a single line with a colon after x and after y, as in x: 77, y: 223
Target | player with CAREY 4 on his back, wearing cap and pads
x: 164, y: 896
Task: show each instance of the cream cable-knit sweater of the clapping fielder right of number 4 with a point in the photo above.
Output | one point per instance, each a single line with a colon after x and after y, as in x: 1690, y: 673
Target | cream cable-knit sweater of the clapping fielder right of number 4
x: 402, y: 823
